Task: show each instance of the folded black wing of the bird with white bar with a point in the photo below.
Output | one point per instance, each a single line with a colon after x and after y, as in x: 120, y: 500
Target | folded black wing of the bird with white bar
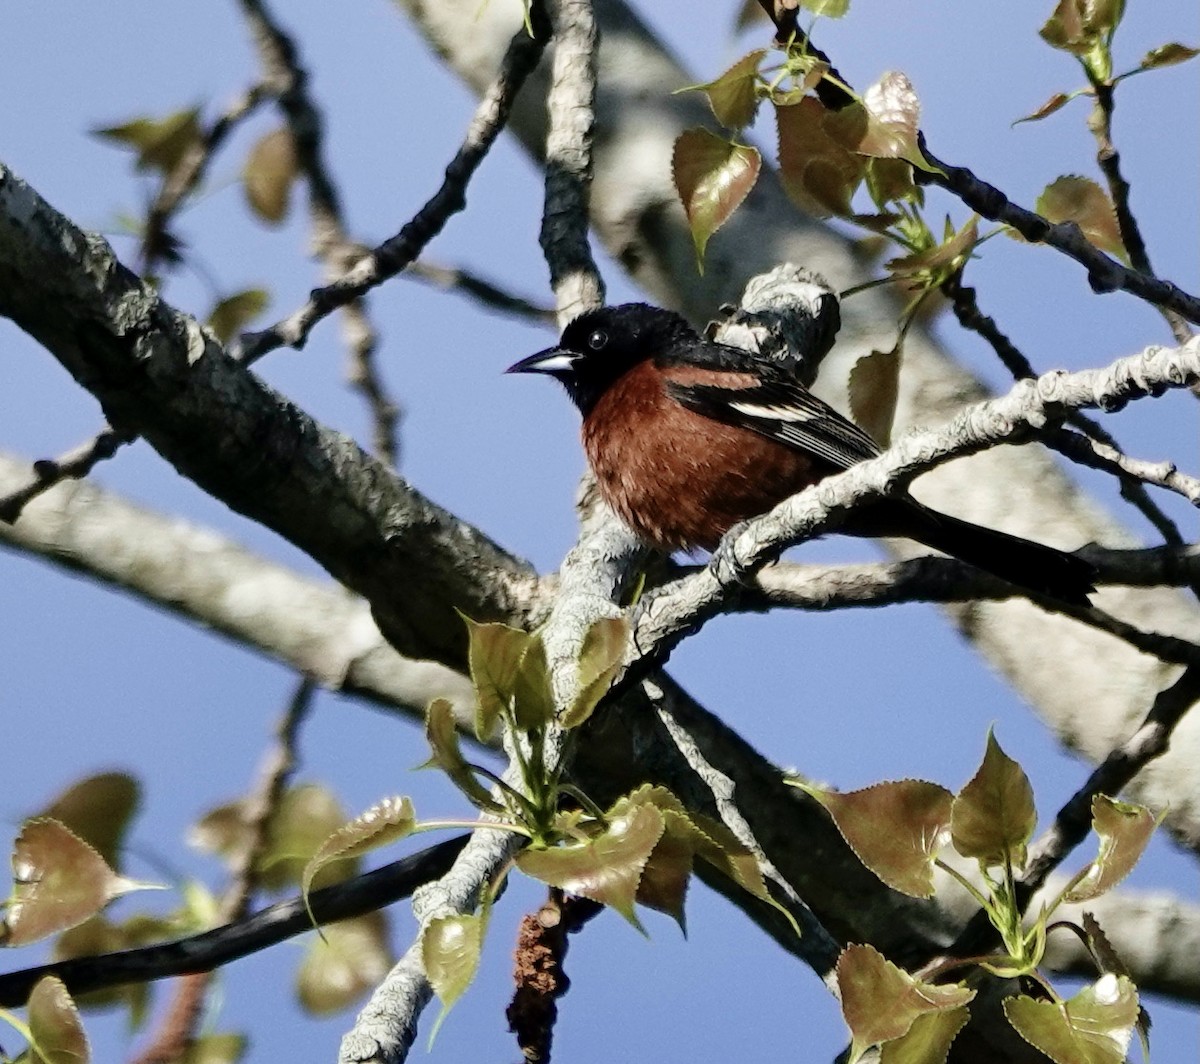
x: 783, y: 411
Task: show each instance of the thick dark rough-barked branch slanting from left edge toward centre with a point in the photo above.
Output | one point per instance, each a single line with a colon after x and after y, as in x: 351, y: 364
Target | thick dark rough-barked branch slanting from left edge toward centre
x: 157, y: 374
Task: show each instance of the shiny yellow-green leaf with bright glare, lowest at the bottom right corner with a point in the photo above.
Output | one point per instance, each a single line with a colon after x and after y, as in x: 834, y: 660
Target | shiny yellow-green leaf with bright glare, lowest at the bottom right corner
x: 1094, y: 1027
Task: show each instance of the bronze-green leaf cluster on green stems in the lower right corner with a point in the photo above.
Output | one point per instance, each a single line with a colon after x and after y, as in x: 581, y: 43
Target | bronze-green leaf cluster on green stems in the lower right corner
x: 899, y: 829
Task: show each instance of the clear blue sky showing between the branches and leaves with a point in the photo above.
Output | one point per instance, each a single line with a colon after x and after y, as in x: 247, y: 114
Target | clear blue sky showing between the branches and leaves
x: 95, y: 681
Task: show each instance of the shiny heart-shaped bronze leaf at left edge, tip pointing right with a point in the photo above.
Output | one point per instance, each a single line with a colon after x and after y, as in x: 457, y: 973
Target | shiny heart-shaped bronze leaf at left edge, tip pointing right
x: 59, y: 881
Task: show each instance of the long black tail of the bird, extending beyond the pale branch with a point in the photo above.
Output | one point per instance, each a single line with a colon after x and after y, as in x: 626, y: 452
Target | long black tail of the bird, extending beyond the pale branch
x: 1034, y: 567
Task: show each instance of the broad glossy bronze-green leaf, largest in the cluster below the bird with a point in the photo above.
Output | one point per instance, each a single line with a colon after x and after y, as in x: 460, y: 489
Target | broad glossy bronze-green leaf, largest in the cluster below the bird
x: 609, y: 868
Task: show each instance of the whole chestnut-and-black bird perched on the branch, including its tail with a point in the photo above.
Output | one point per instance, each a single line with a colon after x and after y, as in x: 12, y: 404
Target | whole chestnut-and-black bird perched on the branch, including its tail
x: 688, y: 437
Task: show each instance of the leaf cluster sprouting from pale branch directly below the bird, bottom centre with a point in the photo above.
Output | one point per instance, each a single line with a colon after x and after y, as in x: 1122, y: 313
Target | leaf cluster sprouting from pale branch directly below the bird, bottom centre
x: 640, y: 850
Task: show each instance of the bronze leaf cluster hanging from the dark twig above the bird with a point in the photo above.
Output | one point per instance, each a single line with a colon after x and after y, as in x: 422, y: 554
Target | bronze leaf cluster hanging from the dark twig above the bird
x: 826, y: 157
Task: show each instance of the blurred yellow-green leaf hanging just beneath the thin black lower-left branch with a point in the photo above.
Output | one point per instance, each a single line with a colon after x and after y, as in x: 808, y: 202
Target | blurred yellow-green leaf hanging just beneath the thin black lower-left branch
x: 350, y: 959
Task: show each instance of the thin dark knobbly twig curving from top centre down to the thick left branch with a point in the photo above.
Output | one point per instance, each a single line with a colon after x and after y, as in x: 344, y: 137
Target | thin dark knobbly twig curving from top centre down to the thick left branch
x: 397, y: 254
